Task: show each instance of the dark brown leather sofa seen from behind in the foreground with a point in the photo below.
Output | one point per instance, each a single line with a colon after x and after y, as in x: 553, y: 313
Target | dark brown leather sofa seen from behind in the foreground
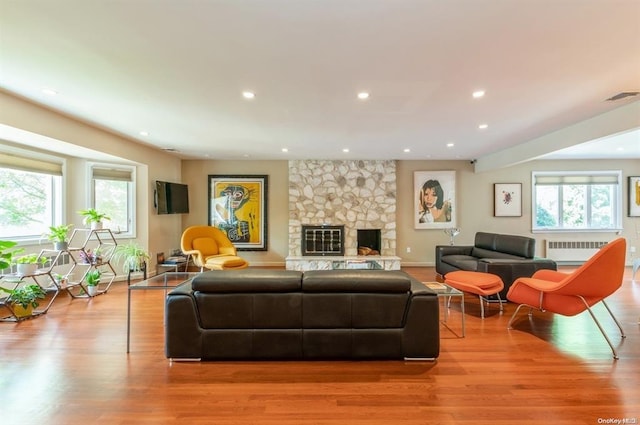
x: 286, y: 314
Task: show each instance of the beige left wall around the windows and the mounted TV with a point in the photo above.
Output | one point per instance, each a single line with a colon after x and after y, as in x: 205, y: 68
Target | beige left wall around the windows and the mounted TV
x: 79, y: 142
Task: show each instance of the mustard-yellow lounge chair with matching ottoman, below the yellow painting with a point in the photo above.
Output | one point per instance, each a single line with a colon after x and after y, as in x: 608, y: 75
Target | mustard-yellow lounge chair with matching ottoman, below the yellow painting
x: 210, y: 248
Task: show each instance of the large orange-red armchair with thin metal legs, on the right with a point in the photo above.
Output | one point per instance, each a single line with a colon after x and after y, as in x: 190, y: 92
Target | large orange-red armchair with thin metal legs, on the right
x: 571, y: 293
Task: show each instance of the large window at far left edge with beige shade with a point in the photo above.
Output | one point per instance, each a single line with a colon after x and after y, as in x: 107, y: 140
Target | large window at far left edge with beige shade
x: 30, y: 196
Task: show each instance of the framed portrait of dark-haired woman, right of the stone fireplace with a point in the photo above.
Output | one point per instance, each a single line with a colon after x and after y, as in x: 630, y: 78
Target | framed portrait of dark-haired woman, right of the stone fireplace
x: 434, y: 199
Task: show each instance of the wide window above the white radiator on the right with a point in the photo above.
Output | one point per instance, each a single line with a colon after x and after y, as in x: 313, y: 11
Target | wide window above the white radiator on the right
x: 586, y: 200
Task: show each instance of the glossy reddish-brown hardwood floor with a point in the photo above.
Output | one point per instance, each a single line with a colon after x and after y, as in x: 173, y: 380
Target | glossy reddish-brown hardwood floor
x: 70, y: 367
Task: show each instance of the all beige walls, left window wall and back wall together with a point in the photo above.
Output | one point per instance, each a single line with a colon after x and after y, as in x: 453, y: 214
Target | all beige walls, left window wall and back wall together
x: 162, y: 233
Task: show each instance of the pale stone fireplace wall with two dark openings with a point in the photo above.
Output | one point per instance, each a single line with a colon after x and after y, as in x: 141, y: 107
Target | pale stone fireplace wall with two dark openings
x: 359, y: 195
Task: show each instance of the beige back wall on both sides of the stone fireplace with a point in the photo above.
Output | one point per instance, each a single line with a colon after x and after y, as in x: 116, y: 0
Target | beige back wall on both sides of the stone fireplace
x: 474, y: 199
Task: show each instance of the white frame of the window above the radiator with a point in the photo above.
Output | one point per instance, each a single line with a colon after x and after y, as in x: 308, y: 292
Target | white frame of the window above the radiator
x: 577, y: 175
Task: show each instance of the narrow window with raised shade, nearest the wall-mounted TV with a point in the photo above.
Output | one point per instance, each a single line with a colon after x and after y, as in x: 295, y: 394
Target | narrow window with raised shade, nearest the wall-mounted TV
x: 113, y: 193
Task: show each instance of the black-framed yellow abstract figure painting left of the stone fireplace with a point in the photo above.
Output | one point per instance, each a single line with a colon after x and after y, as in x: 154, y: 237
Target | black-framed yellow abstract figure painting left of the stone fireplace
x: 238, y: 207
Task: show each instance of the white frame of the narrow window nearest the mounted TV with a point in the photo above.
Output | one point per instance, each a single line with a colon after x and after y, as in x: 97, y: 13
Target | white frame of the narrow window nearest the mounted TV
x: 131, y: 193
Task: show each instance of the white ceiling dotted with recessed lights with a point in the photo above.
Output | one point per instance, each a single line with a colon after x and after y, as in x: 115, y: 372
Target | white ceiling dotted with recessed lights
x: 177, y: 70
